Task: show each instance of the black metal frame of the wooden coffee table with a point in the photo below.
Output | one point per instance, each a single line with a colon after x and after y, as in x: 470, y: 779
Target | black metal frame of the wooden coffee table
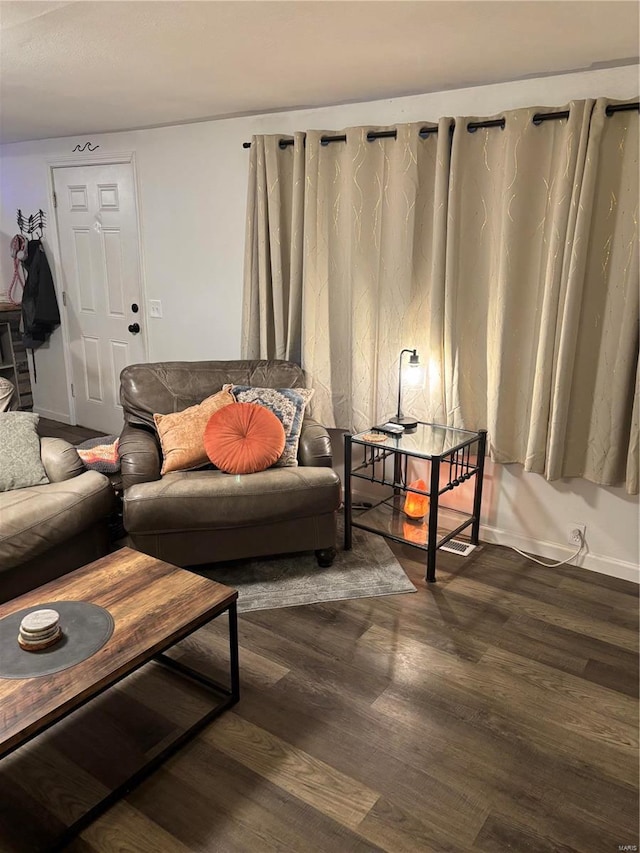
x: 230, y: 695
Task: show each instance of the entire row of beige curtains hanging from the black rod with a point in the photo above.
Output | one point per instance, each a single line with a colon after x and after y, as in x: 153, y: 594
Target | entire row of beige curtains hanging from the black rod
x: 507, y: 257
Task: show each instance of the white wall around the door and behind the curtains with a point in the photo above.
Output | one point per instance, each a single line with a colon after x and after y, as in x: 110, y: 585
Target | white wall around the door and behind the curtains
x: 192, y: 191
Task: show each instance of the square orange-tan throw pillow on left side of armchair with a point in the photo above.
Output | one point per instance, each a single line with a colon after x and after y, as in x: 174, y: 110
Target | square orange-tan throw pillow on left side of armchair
x: 182, y: 433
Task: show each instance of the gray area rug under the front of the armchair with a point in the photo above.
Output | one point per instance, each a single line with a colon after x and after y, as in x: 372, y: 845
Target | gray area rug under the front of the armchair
x: 369, y: 569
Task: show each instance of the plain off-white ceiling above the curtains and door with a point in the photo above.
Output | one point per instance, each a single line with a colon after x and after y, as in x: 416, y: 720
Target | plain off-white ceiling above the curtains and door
x: 75, y: 68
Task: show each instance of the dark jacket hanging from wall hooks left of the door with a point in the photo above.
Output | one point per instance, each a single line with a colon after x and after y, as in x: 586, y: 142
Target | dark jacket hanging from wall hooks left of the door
x: 40, y: 314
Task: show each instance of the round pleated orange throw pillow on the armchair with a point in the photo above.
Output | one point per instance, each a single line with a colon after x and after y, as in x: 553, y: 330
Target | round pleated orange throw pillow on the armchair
x: 243, y: 438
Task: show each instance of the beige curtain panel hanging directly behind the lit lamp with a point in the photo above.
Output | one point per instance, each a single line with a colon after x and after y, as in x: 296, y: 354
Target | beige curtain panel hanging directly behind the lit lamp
x: 374, y: 212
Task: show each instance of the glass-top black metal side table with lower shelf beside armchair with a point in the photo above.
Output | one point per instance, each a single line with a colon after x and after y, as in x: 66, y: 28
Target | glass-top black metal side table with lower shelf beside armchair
x: 453, y: 457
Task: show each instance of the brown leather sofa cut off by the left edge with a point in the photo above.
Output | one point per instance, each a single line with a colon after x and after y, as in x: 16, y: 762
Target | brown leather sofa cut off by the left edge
x: 49, y: 530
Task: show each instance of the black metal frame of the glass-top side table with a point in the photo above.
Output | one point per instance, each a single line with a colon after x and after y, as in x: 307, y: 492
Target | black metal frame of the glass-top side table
x: 460, y: 469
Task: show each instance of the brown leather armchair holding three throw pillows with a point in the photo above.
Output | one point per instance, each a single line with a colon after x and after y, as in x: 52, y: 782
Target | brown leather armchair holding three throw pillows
x: 204, y: 516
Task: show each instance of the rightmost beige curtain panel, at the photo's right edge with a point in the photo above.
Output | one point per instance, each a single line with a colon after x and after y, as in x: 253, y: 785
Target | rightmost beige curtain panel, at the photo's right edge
x: 593, y: 429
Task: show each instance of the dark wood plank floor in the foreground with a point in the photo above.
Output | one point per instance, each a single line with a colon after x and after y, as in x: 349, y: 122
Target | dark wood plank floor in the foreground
x: 493, y: 711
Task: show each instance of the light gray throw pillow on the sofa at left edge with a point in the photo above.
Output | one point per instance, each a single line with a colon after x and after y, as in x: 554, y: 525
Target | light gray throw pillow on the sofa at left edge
x: 20, y: 462
